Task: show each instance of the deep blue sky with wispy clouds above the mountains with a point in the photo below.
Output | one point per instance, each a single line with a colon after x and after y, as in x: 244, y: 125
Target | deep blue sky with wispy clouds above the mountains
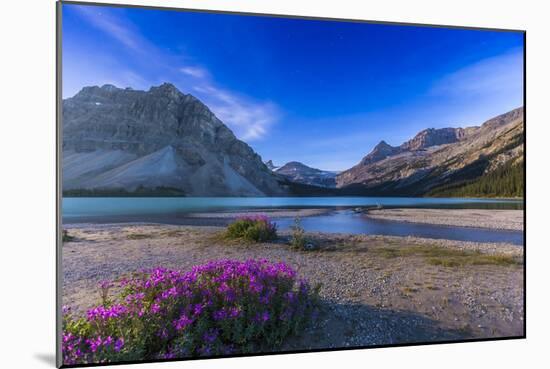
x: 320, y: 92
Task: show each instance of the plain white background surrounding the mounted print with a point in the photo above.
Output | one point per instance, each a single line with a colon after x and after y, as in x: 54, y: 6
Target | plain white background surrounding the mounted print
x: 27, y: 207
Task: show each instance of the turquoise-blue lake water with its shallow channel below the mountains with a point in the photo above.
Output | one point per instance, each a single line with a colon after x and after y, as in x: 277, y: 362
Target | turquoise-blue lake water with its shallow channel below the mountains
x: 170, y: 210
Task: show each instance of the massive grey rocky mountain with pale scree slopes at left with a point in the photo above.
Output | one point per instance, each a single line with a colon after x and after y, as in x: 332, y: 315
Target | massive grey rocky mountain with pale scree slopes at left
x: 126, y: 142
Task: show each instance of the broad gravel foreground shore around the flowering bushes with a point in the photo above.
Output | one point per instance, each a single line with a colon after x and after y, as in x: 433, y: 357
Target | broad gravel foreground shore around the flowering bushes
x: 375, y: 289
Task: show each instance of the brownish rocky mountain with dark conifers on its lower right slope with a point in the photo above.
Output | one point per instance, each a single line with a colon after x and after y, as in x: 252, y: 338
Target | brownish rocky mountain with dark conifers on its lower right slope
x: 485, y: 161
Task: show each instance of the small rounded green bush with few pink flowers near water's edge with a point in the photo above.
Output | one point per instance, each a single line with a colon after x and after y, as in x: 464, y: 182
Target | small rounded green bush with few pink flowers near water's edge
x: 252, y: 228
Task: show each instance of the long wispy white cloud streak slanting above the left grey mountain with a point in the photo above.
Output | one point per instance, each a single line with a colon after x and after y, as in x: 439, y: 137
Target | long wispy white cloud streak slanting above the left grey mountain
x: 249, y: 119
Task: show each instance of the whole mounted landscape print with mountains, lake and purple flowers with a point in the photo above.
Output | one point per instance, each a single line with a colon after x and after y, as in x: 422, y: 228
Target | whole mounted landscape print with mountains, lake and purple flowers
x: 245, y: 184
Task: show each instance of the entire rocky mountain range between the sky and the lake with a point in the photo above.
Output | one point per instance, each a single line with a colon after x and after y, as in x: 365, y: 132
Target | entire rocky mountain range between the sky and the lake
x: 164, y: 142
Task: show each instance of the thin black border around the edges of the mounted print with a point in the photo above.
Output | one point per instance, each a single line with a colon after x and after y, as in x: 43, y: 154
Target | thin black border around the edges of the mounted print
x: 59, y: 105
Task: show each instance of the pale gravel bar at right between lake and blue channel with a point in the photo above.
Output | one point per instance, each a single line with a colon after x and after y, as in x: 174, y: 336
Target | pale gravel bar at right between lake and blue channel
x: 492, y: 219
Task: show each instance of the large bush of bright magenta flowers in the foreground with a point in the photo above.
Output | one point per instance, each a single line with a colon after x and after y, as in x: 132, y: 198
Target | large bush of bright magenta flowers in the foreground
x: 218, y: 308
